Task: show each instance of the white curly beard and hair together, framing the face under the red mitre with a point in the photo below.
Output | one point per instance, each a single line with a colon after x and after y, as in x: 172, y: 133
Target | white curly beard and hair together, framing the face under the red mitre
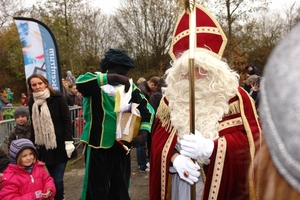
x: 211, y: 95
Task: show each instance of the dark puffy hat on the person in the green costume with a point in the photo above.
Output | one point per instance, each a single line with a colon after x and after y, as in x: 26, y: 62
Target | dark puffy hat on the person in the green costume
x: 119, y: 57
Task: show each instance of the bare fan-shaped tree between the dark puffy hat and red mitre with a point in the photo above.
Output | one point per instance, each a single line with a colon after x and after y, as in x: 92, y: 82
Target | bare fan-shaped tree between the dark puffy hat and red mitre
x: 146, y: 27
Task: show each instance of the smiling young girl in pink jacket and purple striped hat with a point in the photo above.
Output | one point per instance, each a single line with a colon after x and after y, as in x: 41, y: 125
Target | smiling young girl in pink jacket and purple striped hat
x: 25, y: 176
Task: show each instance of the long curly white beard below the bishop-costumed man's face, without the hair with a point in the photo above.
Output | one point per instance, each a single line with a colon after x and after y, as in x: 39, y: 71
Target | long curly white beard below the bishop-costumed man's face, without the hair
x: 210, y: 106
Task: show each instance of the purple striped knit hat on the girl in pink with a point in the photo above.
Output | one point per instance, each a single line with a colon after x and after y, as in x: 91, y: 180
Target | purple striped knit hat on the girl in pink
x: 17, y: 146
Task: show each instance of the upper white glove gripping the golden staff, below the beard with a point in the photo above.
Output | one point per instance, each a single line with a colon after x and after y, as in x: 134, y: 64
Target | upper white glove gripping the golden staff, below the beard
x: 195, y: 146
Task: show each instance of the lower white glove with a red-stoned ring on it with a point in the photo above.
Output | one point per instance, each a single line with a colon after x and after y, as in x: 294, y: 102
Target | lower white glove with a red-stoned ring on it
x: 183, y: 164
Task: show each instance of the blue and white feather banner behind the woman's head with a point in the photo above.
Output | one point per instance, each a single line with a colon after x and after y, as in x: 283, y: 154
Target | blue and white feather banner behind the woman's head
x: 39, y: 50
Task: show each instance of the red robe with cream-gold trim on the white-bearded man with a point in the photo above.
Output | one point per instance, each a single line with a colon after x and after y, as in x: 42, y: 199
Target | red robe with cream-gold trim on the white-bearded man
x: 230, y: 173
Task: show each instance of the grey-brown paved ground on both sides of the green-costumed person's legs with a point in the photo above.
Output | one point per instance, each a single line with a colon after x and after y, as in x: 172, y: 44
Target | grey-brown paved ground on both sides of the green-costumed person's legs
x: 74, y: 176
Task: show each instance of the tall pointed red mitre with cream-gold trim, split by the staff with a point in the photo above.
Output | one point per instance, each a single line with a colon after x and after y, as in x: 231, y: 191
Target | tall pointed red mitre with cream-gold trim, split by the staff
x: 209, y: 34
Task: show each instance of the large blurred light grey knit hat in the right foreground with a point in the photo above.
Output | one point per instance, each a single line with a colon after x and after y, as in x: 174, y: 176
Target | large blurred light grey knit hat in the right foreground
x: 279, y: 108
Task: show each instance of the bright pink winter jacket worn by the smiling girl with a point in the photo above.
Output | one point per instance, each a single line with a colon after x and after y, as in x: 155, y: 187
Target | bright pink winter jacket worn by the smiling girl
x: 18, y: 184
